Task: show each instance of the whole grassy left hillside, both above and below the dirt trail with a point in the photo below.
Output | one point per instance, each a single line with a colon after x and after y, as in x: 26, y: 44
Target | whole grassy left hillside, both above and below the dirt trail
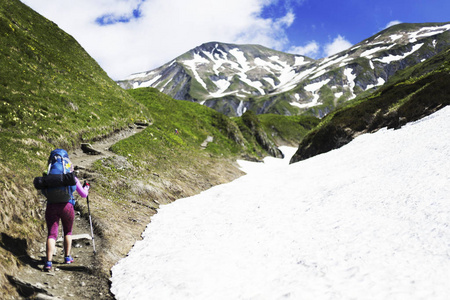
x: 53, y: 94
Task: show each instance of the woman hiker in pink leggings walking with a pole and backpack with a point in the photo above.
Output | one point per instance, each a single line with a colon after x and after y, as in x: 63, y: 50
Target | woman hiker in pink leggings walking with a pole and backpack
x: 61, y: 207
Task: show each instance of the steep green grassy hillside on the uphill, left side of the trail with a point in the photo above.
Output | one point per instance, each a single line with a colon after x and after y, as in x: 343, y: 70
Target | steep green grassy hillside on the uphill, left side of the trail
x: 52, y: 94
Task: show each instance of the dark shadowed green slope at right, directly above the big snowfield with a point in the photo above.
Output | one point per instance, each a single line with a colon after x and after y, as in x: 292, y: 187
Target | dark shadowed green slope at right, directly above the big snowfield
x: 408, y: 96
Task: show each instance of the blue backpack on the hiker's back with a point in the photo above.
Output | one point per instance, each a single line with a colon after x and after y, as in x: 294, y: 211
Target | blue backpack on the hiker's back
x: 59, y: 163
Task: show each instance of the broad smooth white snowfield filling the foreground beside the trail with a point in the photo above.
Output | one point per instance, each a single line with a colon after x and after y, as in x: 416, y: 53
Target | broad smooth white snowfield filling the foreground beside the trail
x: 367, y: 221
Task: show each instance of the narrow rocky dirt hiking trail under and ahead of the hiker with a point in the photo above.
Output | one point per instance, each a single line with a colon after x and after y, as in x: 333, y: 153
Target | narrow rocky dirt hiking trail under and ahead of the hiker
x: 78, y: 280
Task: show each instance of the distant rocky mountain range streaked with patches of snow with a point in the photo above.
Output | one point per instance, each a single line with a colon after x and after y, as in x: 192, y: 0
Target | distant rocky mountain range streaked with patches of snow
x: 233, y: 78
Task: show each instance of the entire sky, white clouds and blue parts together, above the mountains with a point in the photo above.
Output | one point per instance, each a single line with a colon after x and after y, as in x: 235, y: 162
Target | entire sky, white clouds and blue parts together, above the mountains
x: 130, y: 36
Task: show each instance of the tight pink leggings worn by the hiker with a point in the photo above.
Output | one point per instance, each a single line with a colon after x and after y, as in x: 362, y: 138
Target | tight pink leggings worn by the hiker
x: 56, y: 211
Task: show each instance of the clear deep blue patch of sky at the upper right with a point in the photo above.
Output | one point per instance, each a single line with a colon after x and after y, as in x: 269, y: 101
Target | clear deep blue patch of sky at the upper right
x: 353, y: 20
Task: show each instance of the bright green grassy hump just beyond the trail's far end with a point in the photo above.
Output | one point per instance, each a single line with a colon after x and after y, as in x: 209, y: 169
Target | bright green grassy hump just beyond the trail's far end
x: 194, y: 123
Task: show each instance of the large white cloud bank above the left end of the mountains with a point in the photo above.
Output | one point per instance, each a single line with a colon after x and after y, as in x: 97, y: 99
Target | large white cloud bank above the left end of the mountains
x: 164, y: 29
